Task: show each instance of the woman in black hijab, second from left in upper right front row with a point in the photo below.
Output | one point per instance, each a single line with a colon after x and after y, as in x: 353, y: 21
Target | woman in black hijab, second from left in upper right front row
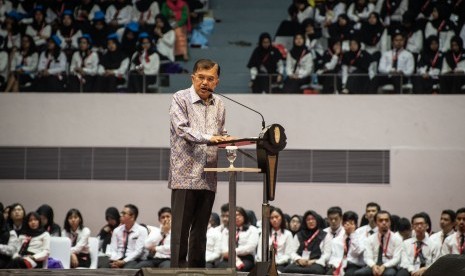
x: 299, y: 66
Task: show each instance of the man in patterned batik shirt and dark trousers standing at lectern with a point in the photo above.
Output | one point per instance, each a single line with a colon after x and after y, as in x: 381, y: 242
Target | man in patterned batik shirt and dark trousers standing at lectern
x: 196, y: 118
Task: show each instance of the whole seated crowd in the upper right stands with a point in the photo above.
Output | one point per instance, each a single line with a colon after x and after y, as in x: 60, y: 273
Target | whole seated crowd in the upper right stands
x: 364, y: 46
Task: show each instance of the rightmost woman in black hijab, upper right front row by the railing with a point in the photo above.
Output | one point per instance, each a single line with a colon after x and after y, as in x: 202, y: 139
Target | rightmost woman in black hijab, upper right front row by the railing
x: 453, y: 68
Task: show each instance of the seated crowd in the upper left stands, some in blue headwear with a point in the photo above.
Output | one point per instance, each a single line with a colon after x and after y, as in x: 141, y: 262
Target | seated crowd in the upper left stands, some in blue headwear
x: 92, y: 45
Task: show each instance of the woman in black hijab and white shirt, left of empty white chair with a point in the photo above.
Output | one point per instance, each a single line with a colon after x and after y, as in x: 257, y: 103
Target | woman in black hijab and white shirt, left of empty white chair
x: 34, y: 244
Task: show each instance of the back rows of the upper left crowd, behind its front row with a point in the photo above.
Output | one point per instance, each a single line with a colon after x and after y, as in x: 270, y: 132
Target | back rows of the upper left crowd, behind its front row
x: 70, y: 19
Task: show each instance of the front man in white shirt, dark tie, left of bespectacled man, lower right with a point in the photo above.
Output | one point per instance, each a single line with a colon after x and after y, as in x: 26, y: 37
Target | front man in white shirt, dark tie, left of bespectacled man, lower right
x: 383, y: 250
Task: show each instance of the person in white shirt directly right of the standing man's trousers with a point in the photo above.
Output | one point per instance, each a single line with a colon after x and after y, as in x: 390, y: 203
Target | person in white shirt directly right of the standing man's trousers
x: 214, y: 241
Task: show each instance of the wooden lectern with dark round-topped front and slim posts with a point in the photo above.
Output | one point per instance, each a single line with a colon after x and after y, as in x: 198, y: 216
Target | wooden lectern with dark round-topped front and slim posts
x: 270, y: 142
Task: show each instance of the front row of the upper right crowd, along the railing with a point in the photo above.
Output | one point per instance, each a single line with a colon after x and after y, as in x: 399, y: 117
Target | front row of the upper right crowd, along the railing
x: 352, y: 69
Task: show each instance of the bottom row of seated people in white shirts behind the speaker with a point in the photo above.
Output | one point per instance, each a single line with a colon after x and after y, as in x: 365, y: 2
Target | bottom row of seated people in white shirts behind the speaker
x: 305, y: 245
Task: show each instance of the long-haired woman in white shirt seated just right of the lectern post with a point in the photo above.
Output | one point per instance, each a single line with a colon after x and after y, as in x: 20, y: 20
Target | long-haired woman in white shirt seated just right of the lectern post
x: 280, y: 239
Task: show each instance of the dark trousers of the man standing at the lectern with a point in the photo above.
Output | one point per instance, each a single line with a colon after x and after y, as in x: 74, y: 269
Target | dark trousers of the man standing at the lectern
x: 191, y: 210
